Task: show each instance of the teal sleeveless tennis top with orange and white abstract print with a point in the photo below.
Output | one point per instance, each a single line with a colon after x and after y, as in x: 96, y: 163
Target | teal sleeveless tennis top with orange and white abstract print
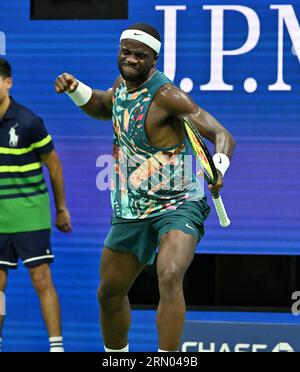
x: 147, y: 181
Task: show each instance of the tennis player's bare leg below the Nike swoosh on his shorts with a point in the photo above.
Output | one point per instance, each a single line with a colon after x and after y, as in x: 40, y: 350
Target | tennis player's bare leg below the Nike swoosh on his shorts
x: 175, y: 255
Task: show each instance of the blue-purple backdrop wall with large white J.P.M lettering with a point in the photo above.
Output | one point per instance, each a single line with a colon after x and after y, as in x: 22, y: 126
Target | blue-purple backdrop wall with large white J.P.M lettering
x: 262, y: 187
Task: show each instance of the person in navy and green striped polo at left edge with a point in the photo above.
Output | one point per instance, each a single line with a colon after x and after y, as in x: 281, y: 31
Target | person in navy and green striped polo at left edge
x: 25, y: 221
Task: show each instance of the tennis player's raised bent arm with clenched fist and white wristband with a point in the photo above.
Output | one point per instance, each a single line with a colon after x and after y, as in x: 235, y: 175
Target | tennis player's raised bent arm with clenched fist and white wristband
x: 96, y: 103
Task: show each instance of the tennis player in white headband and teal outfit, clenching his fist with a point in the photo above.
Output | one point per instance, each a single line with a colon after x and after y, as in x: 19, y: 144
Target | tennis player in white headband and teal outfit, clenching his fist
x: 146, y: 109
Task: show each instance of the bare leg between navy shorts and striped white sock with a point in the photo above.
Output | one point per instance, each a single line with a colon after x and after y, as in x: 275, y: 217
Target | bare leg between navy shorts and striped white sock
x: 42, y: 282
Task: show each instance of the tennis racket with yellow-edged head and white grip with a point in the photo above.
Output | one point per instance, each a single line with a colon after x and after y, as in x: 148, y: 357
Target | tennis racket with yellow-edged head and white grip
x: 206, y: 162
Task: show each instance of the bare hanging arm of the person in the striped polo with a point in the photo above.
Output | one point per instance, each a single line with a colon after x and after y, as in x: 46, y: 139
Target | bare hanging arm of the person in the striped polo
x: 53, y: 163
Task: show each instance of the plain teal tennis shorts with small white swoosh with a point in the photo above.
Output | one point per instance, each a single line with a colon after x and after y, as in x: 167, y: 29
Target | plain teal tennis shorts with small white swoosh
x: 142, y: 237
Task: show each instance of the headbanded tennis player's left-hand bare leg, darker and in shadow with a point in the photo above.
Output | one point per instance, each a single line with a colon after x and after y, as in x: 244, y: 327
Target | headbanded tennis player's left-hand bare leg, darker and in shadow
x: 118, y: 272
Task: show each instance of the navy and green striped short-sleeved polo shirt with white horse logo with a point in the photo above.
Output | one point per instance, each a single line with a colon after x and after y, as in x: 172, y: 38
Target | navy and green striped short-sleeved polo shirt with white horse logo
x: 24, y: 200
